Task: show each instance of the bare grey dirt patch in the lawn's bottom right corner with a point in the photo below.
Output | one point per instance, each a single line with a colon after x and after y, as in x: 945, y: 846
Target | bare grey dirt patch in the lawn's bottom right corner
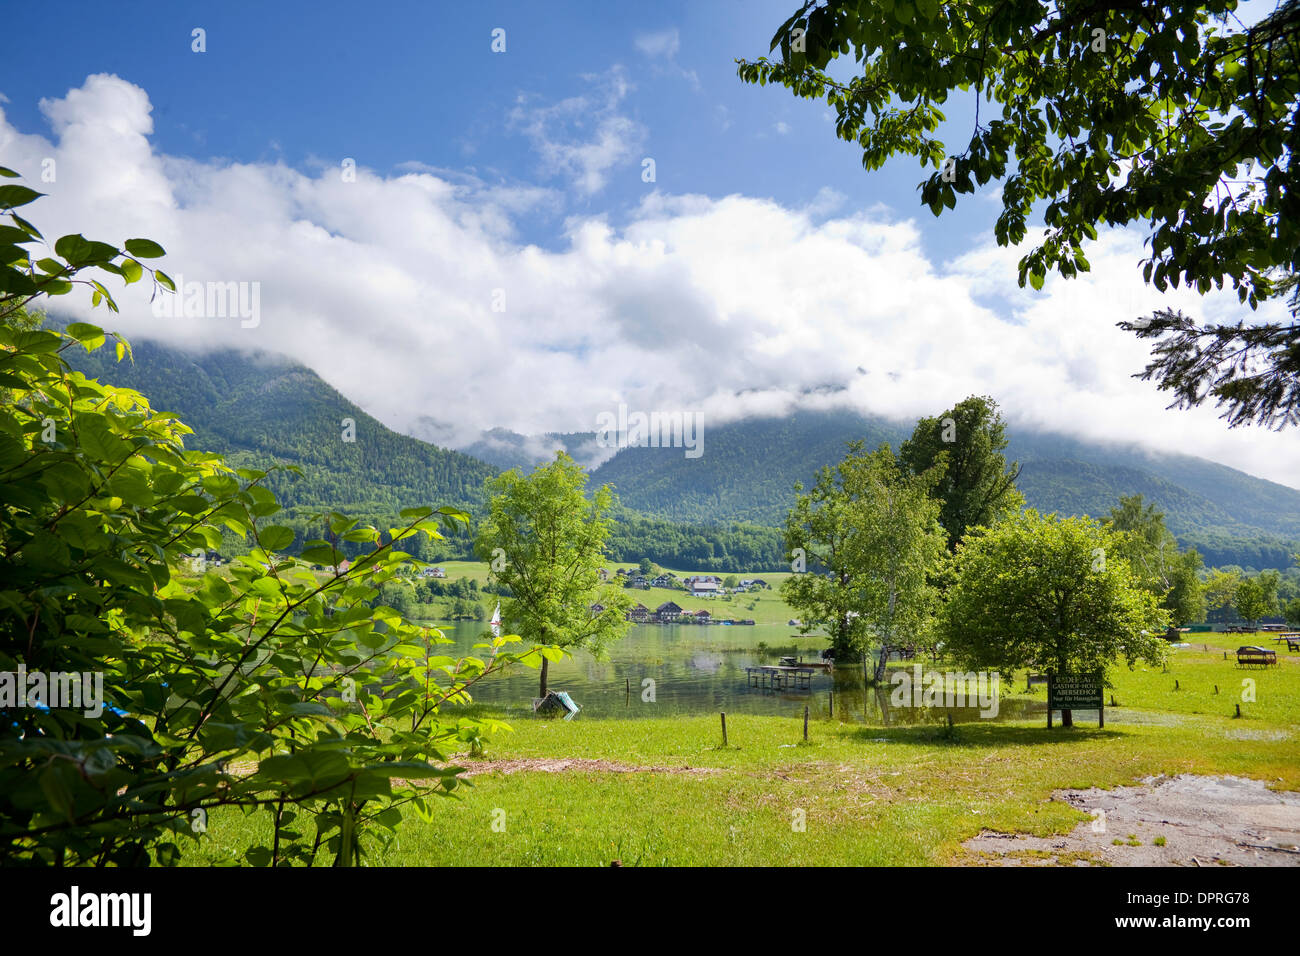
x: 1203, y: 821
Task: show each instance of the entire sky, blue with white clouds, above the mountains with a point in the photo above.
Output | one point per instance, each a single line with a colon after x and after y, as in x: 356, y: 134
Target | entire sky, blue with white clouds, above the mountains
x: 762, y: 271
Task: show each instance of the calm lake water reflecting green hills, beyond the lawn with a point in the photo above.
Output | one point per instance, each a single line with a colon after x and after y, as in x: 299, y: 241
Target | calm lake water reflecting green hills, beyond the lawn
x: 666, y: 671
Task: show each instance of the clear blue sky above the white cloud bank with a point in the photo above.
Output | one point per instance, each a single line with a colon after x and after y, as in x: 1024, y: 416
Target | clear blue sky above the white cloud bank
x: 406, y: 83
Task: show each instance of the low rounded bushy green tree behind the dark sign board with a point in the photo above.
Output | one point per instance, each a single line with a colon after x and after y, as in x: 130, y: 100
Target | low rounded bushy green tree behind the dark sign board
x: 1046, y: 592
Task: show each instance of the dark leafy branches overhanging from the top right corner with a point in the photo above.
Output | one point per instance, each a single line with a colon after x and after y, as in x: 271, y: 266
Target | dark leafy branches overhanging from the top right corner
x: 1116, y: 113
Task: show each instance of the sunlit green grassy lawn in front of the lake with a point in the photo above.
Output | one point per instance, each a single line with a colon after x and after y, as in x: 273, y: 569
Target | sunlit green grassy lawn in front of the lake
x: 866, y: 795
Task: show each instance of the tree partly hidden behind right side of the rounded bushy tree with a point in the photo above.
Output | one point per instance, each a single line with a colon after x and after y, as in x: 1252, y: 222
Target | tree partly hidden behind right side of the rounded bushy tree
x: 1152, y: 551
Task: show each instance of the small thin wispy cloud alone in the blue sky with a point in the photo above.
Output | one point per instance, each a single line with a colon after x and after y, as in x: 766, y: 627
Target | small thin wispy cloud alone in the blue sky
x: 583, y: 139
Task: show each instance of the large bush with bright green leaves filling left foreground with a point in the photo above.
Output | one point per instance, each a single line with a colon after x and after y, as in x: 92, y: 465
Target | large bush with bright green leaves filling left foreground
x: 262, y: 685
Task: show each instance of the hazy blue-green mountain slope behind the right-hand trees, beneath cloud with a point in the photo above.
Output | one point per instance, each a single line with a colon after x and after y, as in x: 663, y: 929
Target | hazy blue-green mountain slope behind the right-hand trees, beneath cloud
x: 749, y: 468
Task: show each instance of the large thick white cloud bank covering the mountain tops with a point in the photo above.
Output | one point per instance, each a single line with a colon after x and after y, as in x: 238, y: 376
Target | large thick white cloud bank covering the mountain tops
x: 725, y: 306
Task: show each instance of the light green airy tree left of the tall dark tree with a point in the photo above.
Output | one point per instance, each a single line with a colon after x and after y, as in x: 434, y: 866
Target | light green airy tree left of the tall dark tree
x: 866, y: 539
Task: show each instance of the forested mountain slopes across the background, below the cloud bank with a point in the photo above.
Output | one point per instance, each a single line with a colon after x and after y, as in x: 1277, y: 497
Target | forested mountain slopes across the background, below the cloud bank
x: 718, y: 512
